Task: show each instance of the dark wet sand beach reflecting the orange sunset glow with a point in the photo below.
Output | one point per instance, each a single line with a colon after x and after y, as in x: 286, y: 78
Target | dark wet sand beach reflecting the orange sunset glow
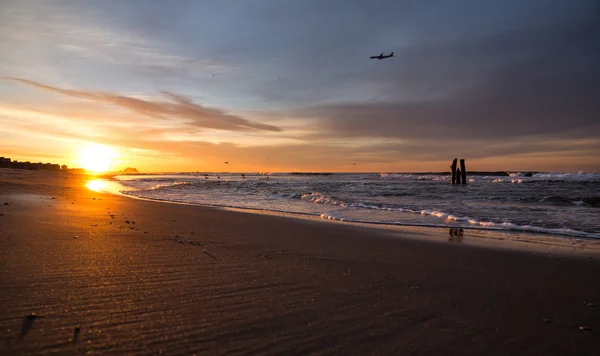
x: 184, y: 280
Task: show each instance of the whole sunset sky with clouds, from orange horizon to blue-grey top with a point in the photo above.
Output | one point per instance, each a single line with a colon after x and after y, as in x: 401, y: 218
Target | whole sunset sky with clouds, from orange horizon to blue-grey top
x: 270, y: 85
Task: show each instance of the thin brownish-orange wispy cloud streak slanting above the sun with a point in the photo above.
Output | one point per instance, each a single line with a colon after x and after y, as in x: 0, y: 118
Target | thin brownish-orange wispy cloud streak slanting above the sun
x: 177, y: 106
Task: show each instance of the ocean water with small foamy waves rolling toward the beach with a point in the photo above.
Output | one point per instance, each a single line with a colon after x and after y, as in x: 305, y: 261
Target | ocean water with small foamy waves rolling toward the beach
x: 564, y: 204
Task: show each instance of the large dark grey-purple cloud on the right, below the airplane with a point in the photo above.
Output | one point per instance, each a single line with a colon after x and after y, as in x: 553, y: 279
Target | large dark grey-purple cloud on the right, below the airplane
x: 540, y: 82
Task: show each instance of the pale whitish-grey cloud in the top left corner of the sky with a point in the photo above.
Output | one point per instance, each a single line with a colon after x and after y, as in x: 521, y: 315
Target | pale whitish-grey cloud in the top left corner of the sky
x: 34, y: 32
